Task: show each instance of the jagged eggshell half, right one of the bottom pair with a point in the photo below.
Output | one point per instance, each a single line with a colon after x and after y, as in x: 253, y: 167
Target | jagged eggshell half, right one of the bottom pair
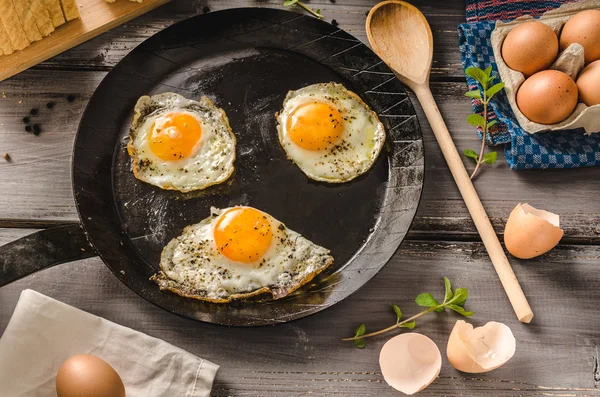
x: 481, y: 349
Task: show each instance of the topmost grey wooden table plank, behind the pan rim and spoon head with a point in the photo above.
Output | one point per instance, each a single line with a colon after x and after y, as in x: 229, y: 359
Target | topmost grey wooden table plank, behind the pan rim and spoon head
x: 105, y: 51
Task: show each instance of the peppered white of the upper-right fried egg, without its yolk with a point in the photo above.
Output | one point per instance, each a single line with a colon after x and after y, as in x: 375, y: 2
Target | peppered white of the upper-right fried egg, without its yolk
x: 360, y: 144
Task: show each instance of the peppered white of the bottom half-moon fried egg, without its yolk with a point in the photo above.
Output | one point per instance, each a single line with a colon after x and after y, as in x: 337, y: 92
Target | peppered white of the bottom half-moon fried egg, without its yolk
x: 192, y: 265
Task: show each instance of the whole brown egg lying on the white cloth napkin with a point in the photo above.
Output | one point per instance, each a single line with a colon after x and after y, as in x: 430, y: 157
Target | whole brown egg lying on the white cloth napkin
x: 89, y: 376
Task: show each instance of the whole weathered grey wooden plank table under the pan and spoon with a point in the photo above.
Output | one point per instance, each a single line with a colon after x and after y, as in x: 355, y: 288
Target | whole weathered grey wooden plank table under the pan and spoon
x: 557, y: 355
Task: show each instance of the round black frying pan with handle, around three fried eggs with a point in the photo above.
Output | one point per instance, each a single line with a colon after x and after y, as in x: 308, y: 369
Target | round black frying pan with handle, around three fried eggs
x: 246, y: 60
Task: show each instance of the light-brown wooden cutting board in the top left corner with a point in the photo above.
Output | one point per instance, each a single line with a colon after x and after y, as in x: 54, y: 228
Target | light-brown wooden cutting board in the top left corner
x: 97, y: 16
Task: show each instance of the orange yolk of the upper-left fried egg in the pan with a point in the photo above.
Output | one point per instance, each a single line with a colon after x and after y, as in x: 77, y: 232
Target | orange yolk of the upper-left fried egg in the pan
x: 174, y: 136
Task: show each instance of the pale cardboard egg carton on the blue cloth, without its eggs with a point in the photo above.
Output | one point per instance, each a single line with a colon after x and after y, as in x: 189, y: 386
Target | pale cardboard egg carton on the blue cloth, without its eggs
x: 569, y: 61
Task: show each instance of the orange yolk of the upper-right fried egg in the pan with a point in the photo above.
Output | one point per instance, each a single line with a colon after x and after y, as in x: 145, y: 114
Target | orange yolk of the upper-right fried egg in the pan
x: 315, y: 126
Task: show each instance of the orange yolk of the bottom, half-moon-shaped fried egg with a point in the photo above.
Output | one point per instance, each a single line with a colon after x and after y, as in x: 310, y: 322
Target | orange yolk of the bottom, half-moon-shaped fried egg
x: 243, y: 234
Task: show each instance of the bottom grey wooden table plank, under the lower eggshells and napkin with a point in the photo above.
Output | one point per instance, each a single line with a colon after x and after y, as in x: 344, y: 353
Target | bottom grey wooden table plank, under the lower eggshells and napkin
x: 557, y: 355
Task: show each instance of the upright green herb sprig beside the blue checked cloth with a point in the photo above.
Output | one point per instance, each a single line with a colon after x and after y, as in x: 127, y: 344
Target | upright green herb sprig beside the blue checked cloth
x: 484, y: 94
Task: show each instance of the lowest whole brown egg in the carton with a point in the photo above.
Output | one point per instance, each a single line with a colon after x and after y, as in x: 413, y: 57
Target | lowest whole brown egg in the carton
x: 547, y: 97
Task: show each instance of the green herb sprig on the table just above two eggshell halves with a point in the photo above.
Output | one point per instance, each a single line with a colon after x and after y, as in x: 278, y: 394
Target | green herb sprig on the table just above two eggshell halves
x: 453, y: 300
